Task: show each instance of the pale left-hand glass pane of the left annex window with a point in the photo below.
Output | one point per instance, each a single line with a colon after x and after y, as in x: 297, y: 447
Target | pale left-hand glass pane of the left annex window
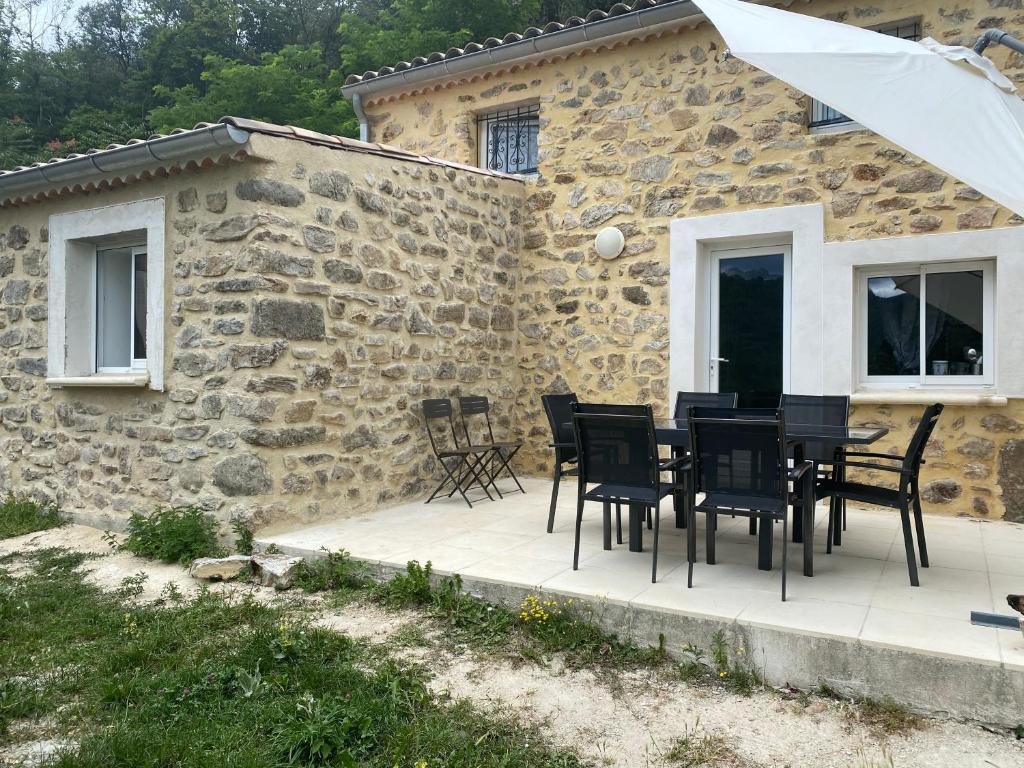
x: 114, y: 268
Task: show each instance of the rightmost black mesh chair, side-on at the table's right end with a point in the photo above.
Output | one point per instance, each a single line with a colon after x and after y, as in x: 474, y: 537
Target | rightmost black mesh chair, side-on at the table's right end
x: 905, y: 498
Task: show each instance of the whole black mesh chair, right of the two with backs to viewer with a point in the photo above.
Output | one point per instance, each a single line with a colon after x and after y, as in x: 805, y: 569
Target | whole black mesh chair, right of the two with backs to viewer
x: 740, y: 464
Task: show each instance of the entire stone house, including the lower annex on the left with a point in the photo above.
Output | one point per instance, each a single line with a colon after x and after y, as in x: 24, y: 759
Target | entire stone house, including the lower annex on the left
x: 244, y: 316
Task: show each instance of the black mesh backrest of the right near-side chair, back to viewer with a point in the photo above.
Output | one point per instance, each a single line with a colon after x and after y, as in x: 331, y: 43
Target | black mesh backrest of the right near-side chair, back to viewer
x: 739, y: 452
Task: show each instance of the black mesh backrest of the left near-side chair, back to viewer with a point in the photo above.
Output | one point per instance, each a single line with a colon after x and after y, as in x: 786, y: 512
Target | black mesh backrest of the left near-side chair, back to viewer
x: 617, y: 449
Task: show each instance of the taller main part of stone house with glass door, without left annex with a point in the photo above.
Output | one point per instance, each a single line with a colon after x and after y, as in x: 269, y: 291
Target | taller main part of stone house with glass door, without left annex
x: 713, y: 170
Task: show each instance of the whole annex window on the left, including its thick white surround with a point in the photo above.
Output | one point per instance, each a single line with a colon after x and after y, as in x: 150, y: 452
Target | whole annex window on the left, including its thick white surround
x: 107, y: 296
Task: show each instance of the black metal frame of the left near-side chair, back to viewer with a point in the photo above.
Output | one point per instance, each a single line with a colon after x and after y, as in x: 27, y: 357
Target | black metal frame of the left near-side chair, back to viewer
x: 608, y: 489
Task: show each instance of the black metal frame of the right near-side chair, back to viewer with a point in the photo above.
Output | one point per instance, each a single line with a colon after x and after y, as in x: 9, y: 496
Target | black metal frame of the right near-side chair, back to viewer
x: 748, y: 506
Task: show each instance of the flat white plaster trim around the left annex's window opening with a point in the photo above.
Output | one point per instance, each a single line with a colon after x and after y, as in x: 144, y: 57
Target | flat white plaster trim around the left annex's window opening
x: 71, y: 236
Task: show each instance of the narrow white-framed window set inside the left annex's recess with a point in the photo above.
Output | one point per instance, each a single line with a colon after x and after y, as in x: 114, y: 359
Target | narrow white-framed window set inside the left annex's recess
x: 121, y: 311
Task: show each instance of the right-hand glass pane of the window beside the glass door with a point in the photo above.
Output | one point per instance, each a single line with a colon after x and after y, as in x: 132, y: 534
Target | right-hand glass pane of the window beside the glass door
x: 954, y: 319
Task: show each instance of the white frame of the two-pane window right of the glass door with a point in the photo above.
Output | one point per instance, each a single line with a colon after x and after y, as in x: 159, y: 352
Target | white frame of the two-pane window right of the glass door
x: 925, y: 379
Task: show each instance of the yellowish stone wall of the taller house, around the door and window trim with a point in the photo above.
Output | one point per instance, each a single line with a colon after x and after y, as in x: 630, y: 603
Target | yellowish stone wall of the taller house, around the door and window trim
x: 663, y: 127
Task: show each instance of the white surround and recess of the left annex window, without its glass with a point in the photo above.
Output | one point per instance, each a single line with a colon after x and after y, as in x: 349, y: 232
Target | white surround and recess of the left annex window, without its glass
x: 74, y: 239
